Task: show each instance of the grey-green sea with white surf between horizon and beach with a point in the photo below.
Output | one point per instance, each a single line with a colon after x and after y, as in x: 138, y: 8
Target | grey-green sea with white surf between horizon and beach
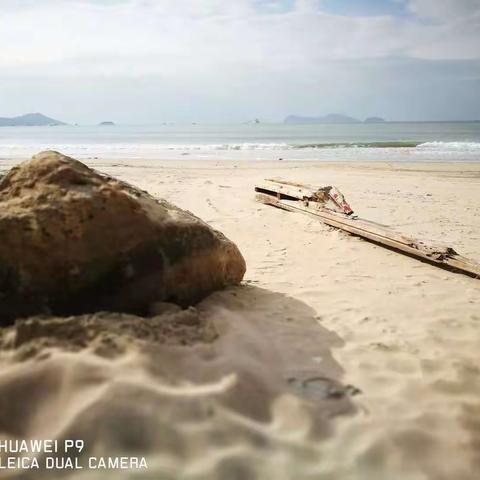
x: 392, y: 141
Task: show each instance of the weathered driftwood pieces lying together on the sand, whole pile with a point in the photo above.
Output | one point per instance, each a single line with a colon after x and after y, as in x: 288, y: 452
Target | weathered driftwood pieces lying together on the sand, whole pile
x: 328, y: 205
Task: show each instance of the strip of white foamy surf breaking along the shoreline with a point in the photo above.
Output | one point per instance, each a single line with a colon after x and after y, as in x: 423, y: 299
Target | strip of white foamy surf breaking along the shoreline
x: 391, y: 150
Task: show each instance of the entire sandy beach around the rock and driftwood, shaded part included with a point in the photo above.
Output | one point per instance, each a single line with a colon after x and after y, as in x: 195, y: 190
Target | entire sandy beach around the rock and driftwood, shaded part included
x: 316, y: 303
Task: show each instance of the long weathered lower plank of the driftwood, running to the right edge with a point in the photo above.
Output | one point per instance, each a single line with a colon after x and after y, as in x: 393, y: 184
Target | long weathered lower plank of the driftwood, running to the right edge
x: 381, y: 234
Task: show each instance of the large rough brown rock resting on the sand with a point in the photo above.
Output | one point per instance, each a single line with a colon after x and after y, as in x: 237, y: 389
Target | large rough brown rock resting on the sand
x: 75, y: 241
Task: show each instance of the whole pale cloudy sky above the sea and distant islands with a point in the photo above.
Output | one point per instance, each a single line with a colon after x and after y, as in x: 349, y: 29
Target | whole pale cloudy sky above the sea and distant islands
x: 148, y: 61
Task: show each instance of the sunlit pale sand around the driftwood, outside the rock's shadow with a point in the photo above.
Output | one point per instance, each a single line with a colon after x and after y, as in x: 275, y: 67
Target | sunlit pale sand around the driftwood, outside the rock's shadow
x: 406, y: 333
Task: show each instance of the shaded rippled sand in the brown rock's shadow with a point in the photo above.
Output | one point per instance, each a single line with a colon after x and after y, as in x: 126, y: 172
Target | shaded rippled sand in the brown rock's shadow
x: 264, y: 374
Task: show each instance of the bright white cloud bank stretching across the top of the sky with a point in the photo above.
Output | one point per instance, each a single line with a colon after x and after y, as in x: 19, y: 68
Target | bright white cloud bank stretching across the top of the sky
x: 180, y: 35
